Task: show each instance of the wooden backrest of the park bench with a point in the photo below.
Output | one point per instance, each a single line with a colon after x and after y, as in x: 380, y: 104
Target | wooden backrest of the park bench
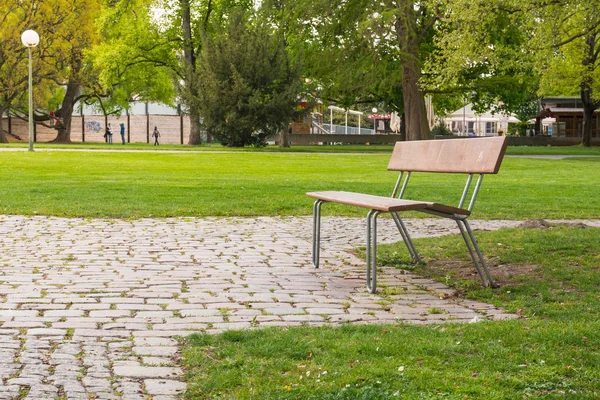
x: 468, y: 155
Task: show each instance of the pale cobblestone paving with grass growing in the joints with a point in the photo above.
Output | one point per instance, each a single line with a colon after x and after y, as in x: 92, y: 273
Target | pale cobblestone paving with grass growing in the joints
x: 89, y: 308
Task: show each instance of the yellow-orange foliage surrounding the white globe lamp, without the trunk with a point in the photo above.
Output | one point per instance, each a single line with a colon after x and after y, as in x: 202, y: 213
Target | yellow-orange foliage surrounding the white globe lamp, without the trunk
x: 57, y: 23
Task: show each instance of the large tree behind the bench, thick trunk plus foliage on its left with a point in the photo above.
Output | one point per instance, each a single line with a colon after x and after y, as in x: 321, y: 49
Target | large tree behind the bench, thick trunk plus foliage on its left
x: 359, y: 49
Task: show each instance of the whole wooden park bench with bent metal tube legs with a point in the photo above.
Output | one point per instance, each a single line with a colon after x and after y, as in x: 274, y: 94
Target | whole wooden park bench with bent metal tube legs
x: 472, y: 156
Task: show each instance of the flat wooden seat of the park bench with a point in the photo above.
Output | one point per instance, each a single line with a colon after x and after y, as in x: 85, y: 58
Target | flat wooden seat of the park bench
x: 384, y: 204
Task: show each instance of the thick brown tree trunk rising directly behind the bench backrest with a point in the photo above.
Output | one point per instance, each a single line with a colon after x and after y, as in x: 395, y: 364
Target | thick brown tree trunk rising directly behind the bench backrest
x: 417, y: 126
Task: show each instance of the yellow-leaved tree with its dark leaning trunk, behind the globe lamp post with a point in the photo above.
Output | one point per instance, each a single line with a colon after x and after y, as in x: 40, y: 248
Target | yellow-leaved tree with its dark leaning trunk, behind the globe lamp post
x: 67, y: 33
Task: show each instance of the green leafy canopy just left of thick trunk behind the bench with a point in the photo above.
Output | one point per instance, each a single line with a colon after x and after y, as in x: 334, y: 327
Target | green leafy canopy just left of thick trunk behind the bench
x: 341, y: 58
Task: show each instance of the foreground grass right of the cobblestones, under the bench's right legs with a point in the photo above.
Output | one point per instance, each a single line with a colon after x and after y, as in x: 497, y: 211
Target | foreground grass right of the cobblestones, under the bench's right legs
x: 551, y: 353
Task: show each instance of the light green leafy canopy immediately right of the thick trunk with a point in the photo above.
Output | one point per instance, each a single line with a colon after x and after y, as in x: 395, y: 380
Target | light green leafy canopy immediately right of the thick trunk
x: 479, y: 55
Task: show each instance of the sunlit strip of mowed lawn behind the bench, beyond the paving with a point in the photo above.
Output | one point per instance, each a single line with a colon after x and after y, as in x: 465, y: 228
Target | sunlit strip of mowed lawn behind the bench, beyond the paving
x: 134, y: 185
